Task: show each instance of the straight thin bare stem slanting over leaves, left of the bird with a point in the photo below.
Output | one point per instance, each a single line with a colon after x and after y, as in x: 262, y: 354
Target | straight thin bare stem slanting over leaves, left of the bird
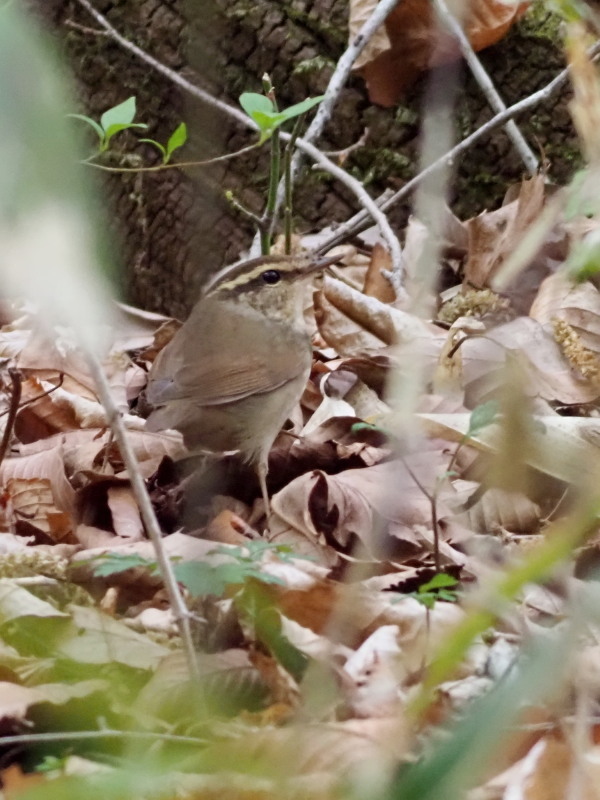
x: 180, y: 611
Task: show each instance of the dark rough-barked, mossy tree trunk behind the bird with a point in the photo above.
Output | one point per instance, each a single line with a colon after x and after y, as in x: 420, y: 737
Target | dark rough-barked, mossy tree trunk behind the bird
x: 177, y: 226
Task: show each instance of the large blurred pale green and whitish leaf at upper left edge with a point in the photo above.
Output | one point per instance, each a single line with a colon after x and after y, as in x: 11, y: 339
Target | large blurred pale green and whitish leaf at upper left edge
x: 50, y: 250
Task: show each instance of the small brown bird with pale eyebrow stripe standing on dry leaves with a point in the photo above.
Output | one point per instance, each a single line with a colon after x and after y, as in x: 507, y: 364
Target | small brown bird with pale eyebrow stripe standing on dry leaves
x: 233, y: 372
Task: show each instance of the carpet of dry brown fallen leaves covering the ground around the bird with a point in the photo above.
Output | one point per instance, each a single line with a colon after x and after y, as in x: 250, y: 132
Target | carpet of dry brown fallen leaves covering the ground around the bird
x: 321, y: 632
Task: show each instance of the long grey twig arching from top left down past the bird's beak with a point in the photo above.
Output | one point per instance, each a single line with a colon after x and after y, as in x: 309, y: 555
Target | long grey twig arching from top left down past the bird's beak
x: 351, y: 183
